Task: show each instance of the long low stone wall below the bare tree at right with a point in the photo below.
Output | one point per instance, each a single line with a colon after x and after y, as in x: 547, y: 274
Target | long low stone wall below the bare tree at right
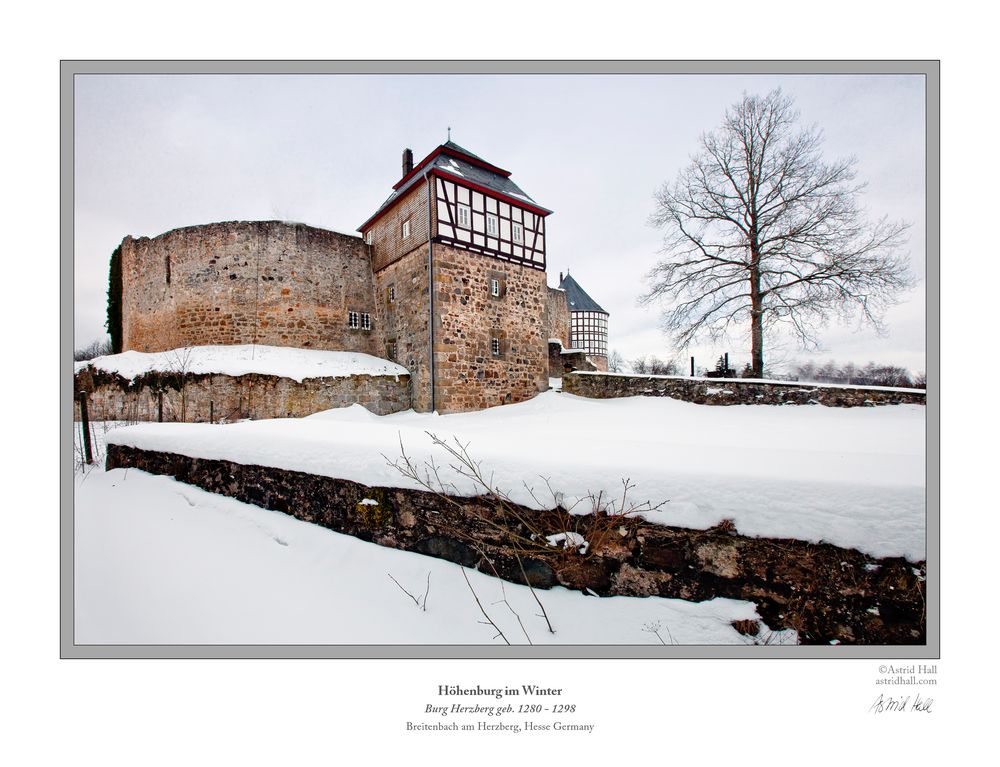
x: 735, y: 391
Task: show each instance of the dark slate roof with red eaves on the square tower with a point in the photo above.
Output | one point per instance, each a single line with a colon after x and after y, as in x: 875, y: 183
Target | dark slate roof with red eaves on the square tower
x: 452, y: 161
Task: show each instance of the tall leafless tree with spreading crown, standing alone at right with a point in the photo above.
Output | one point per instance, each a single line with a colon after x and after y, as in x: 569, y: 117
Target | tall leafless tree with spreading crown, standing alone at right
x: 760, y: 229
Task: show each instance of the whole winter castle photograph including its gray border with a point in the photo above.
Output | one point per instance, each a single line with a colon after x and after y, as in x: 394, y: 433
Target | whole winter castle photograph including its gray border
x: 501, y: 359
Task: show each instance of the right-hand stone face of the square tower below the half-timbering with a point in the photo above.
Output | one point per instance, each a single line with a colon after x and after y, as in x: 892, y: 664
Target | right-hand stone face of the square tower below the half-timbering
x: 467, y: 317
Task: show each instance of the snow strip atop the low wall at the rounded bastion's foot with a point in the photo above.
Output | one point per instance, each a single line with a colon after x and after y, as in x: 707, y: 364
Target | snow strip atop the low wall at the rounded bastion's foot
x: 244, y: 359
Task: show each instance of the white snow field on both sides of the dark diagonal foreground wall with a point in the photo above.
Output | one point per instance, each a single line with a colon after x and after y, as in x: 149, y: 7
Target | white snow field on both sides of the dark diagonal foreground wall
x: 157, y: 561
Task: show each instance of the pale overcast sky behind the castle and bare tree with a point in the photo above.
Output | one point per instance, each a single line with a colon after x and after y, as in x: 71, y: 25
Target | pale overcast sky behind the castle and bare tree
x: 154, y: 153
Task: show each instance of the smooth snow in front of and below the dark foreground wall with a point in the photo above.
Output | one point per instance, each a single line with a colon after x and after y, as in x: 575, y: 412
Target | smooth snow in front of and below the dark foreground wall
x: 161, y: 562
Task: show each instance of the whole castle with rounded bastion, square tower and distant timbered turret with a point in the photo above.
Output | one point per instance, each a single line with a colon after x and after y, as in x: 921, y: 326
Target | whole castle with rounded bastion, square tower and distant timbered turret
x: 447, y: 279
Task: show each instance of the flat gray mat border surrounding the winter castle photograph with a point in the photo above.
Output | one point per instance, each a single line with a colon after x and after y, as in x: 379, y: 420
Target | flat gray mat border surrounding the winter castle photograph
x: 928, y: 68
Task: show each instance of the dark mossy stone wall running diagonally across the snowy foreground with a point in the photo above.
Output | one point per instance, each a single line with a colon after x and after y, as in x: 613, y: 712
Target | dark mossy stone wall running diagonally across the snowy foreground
x: 825, y: 592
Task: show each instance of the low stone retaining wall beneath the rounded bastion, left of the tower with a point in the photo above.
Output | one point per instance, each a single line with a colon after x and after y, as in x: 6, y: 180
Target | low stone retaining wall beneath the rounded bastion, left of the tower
x: 198, y: 398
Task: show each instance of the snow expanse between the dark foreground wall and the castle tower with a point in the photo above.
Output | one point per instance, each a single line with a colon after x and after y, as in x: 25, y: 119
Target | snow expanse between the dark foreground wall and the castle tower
x: 854, y: 477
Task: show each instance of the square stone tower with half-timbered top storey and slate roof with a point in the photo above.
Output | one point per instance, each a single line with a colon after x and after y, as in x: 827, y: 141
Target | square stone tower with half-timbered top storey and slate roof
x: 459, y: 254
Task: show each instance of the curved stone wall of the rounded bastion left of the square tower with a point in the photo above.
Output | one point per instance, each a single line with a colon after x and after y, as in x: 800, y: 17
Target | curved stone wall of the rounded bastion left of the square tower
x: 266, y: 282
